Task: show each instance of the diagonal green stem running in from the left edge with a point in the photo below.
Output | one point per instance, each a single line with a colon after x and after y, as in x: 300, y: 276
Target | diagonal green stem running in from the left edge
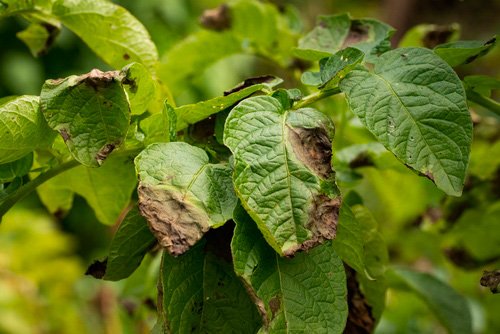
x: 26, y: 189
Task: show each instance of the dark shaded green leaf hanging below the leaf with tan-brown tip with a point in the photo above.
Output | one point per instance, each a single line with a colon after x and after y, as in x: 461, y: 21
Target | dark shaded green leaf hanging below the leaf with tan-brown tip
x: 201, y: 294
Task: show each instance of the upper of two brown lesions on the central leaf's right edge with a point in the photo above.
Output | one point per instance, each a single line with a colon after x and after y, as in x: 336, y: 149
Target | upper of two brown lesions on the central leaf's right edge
x: 313, y: 148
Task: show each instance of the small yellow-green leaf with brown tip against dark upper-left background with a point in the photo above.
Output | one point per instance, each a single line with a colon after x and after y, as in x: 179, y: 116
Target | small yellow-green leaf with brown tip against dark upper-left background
x: 39, y: 37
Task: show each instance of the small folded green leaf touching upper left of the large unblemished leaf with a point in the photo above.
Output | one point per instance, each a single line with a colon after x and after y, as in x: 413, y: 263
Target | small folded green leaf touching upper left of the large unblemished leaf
x: 334, y: 68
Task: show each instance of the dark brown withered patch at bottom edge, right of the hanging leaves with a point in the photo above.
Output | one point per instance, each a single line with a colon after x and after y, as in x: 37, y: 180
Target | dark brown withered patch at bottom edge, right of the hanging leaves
x: 360, y: 319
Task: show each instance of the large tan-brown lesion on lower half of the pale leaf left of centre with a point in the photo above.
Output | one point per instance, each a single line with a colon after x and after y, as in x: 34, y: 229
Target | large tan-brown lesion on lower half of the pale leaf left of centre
x: 176, y: 223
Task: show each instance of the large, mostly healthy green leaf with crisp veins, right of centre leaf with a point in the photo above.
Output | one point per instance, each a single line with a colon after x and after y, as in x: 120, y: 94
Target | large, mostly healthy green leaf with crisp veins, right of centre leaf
x: 414, y: 103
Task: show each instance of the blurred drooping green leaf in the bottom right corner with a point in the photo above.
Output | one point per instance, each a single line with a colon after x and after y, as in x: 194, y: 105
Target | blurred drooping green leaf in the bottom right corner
x: 450, y: 307
